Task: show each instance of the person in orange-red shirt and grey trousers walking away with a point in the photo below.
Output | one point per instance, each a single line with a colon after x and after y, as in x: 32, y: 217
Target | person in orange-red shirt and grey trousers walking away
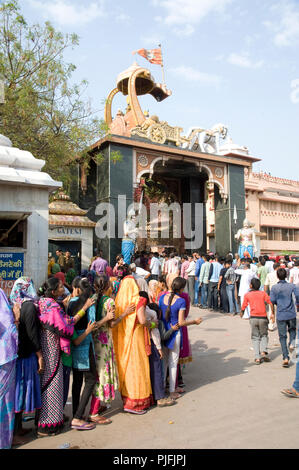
x: 257, y: 300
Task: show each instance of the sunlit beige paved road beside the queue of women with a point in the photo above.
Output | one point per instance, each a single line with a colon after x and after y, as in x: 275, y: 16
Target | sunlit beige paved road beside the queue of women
x: 230, y: 403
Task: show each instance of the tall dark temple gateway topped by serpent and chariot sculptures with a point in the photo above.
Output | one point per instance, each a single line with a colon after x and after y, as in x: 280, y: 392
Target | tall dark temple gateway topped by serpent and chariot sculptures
x: 156, y: 164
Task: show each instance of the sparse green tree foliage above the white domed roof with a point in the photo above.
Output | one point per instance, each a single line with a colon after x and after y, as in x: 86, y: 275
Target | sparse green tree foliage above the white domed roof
x: 43, y: 112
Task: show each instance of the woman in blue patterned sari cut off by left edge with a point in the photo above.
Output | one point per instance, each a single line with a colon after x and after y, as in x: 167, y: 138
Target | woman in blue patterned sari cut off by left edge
x: 8, y: 357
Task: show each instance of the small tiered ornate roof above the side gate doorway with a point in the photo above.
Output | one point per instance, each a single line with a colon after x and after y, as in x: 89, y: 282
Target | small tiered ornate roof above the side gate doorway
x: 62, y: 211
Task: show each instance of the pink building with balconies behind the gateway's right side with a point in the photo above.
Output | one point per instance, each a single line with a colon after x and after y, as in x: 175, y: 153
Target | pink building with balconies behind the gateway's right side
x: 272, y: 204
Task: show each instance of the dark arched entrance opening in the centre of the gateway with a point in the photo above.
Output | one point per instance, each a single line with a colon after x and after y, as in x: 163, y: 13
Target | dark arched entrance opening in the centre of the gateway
x: 173, y: 181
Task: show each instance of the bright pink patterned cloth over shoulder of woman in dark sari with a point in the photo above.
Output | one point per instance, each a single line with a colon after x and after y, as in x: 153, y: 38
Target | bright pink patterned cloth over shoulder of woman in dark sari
x: 54, y: 319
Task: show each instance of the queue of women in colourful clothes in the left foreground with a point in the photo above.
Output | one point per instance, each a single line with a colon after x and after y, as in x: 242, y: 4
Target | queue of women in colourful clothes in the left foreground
x: 115, y: 333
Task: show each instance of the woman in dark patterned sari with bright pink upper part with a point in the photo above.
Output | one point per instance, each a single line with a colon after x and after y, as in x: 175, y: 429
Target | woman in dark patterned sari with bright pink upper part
x: 57, y: 329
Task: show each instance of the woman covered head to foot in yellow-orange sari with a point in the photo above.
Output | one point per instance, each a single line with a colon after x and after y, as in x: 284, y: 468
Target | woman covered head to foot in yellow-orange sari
x: 132, y: 349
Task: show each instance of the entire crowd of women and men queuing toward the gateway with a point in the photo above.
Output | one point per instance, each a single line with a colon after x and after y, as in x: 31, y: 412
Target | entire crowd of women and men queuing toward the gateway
x: 126, y: 329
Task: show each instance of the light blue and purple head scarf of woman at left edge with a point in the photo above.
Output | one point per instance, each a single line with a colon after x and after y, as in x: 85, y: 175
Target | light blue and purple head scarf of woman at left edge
x: 8, y: 332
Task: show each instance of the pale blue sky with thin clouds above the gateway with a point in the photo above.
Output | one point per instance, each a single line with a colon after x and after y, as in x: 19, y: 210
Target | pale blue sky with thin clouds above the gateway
x: 226, y: 61
